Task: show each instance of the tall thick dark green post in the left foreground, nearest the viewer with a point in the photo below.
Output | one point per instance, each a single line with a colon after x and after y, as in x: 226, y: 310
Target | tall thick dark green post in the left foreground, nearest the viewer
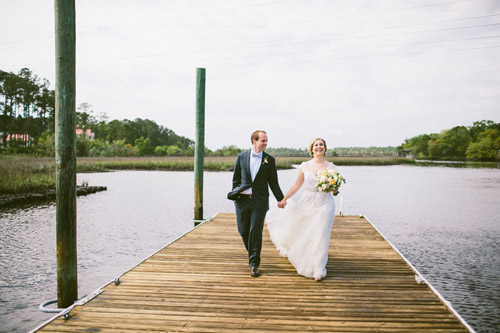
x: 67, y: 281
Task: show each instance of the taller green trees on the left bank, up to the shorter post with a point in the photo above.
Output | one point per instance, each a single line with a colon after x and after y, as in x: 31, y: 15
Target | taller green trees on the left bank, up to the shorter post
x: 27, y: 122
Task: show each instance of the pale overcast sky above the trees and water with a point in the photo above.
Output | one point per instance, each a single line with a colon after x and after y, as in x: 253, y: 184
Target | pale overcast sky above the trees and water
x: 357, y: 73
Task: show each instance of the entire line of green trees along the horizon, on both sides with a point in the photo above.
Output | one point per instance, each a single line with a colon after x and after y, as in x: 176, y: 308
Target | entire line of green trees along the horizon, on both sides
x: 27, y: 122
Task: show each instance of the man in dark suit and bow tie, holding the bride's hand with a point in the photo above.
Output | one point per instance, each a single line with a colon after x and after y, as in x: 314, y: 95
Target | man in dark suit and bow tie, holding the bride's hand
x: 253, y: 172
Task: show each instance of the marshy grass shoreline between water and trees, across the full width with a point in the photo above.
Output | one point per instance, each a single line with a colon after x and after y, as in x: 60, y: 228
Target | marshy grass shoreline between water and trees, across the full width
x: 28, y: 179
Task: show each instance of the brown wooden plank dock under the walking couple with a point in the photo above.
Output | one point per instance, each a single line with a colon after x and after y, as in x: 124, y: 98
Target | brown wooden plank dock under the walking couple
x: 201, y: 283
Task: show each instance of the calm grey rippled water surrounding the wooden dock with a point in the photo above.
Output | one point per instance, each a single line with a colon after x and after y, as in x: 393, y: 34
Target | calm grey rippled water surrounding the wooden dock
x: 446, y: 221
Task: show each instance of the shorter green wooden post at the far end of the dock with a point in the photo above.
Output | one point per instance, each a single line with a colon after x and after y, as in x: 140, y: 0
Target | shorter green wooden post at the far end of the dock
x: 199, y: 151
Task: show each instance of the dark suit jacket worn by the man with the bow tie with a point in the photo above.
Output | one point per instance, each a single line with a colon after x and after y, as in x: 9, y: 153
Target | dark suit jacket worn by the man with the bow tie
x: 267, y: 176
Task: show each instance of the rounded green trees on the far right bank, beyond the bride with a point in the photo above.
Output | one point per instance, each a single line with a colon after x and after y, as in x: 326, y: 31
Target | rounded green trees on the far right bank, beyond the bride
x: 481, y: 141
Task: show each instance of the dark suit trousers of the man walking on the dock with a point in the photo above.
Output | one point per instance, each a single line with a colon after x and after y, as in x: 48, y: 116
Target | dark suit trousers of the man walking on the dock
x: 250, y: 218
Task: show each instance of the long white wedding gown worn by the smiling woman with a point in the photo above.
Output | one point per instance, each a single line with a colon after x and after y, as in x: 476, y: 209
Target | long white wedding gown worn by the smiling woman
x: 301, y: 231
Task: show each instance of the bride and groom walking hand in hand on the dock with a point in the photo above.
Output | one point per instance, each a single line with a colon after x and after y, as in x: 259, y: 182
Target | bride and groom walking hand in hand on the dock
x: 301, y: 231
